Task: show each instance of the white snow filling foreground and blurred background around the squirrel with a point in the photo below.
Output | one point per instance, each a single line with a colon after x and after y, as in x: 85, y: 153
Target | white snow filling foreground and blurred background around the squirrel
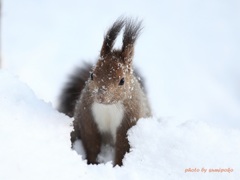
x: 189, y: 54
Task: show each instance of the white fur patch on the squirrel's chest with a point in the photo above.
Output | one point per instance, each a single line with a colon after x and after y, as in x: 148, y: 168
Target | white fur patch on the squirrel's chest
x: 108, y: 117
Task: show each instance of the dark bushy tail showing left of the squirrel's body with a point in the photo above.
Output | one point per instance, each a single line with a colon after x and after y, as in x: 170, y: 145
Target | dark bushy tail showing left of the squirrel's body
x: 72, y: 89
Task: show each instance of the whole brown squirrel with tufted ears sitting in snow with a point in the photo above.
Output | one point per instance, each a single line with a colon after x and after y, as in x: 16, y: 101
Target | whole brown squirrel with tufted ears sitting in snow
x: 112, y: 99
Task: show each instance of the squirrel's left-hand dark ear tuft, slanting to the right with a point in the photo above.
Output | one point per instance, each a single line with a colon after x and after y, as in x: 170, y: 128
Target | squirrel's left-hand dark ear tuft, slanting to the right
x: 111, y: 36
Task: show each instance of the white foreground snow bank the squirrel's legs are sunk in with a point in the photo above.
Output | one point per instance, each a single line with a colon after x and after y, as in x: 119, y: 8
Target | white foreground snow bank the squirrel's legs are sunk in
x: 35, y: 144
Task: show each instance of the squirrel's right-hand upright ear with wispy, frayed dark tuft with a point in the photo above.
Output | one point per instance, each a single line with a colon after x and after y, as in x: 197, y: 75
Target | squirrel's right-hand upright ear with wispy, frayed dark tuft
x: 130, y: 35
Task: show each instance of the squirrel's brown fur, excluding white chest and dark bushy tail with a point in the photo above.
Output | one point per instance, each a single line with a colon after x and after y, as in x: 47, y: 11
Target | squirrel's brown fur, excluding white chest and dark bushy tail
x: 104, y: 87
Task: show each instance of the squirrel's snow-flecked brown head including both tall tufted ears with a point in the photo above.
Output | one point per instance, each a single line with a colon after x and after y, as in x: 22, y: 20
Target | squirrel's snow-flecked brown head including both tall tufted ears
x: 112, y: 78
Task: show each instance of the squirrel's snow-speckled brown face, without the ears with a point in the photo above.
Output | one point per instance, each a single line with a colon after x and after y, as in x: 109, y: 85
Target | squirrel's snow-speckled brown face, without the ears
x: 110, y: 80
